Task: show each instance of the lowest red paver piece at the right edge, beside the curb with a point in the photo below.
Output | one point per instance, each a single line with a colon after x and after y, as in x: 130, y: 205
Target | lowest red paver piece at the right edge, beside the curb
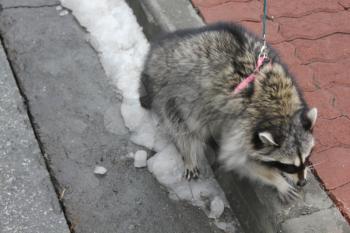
x: 341, y: 194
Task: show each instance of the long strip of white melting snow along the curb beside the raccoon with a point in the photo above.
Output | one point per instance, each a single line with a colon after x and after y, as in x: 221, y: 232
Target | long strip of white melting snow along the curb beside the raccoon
x: 122, y: 47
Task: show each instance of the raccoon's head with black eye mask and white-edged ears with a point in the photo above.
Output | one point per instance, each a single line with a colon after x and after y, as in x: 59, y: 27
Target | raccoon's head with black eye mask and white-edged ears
x: 285, y: 145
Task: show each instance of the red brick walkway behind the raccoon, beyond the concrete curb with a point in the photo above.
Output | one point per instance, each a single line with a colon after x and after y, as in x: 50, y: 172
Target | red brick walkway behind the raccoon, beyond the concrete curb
x: 313, y: 38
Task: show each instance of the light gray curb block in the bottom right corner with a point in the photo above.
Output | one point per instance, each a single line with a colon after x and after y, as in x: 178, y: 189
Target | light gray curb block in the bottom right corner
x: 317, y: 222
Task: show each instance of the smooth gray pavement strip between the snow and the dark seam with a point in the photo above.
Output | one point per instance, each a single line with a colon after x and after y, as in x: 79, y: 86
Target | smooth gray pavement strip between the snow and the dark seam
x: 76, y: 114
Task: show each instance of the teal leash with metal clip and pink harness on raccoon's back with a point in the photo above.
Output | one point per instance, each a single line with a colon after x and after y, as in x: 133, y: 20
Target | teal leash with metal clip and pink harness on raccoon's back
x: 263, y: 56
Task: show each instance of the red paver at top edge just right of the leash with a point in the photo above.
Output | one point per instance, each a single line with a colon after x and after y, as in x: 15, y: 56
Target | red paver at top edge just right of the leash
x: 285, y: 8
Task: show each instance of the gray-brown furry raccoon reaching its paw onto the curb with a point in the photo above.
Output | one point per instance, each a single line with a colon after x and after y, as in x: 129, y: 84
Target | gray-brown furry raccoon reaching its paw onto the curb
x: 263, y: 132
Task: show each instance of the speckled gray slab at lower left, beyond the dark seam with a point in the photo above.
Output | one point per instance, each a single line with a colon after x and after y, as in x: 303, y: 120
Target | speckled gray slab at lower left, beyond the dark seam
x: 28, y: 202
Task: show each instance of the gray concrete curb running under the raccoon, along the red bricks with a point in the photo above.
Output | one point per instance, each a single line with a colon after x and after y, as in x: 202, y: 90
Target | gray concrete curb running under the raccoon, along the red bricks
x: 257, y: 207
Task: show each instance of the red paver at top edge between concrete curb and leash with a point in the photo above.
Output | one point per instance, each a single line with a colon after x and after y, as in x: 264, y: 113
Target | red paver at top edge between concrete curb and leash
x: 232, y: 11
